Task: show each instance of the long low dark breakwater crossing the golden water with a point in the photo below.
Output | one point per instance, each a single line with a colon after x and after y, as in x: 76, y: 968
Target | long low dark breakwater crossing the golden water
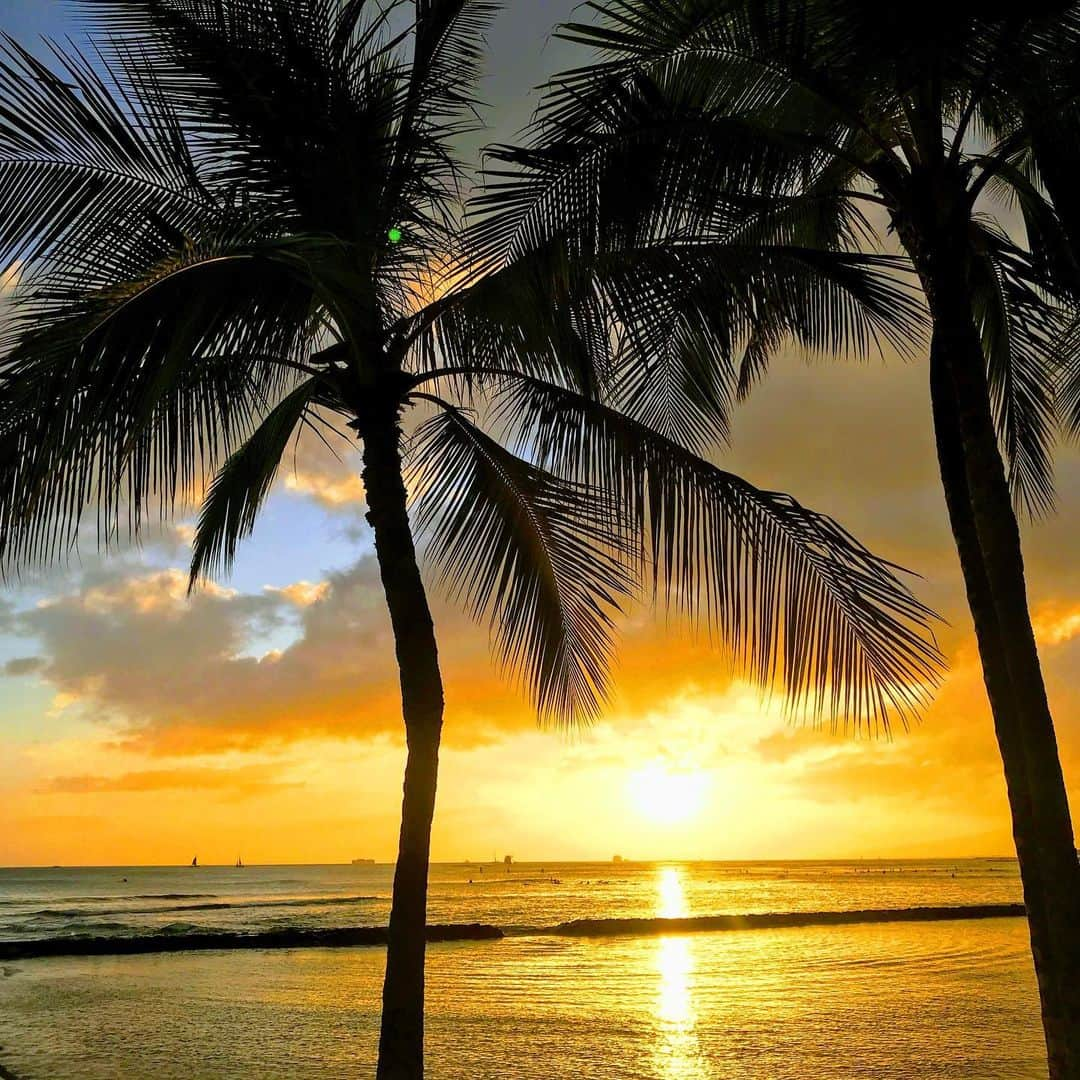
x: 373, y: 937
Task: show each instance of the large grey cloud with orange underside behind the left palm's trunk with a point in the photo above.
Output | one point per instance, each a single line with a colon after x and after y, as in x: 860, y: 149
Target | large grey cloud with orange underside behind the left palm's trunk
x: 172, y: 674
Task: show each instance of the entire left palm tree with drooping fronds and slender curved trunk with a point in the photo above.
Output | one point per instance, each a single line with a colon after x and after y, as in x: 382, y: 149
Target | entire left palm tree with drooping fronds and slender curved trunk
x: 238, y: 220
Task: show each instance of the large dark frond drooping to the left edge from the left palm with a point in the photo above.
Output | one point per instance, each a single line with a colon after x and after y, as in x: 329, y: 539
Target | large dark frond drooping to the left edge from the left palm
x: 125, y: 396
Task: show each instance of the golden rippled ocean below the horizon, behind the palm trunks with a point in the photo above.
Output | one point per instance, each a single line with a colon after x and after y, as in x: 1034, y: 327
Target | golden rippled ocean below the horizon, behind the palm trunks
x: 562, y: 994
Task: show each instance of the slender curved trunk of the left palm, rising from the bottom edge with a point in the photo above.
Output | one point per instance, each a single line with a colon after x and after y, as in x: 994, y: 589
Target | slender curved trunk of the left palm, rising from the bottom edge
x: 401, y: 1039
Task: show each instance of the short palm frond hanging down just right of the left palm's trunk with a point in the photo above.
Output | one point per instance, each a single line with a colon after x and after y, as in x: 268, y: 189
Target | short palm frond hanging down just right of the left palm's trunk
x: 542, y: 558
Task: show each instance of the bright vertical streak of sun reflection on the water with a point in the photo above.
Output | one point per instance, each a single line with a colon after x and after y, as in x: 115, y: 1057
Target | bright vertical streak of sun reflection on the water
x: 677, y: 1051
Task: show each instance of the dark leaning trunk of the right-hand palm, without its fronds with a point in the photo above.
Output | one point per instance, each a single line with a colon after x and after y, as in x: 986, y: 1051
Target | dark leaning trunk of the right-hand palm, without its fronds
x: 989, y: 543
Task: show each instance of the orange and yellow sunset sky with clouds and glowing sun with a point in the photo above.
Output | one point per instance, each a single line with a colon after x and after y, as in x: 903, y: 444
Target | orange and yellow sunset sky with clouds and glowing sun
x: 262, y: 717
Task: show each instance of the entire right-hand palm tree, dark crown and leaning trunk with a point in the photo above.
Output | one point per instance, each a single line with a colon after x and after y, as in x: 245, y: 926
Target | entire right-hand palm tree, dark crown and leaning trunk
x: 950, y: 138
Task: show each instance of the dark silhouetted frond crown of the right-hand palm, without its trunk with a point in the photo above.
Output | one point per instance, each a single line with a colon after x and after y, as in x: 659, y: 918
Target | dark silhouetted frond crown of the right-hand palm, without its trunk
x: 822, y: 127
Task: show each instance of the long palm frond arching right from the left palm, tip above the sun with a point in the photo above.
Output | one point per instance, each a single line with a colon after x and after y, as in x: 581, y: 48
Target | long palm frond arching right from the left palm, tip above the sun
x: 799, y: 602
